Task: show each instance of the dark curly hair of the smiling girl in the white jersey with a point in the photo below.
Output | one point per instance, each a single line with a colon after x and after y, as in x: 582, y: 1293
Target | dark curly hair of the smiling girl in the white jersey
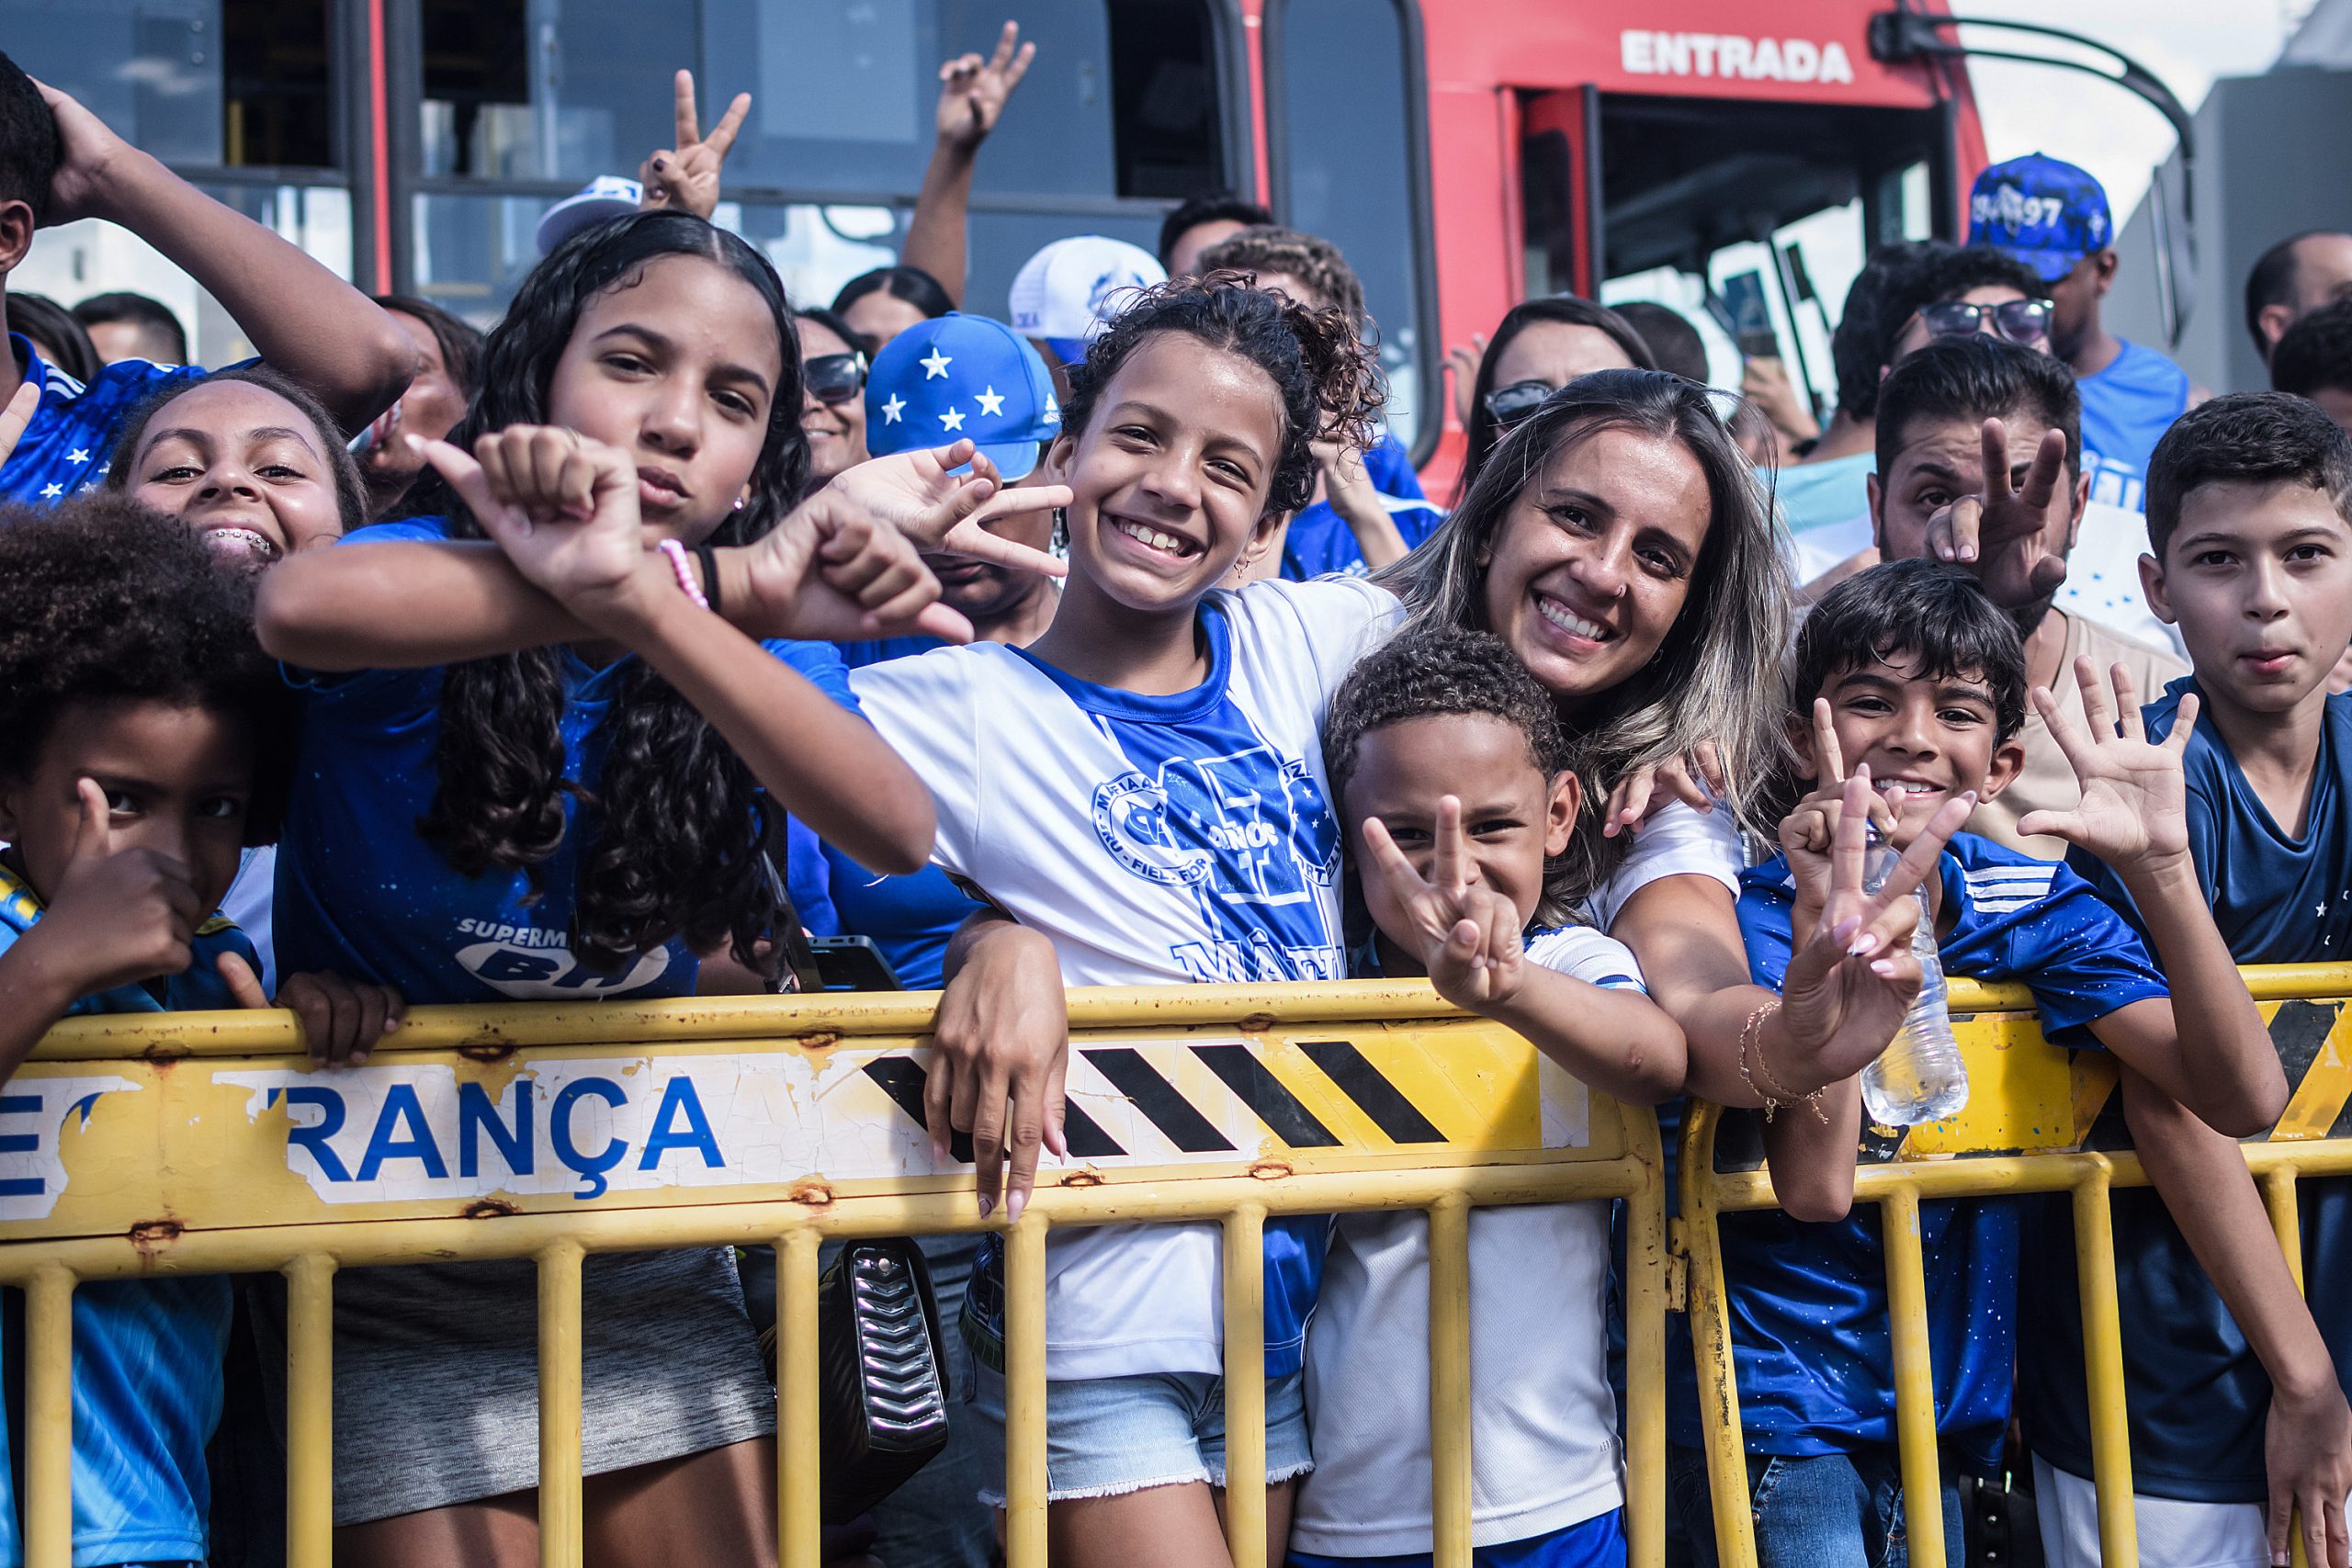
x: 1328, y: 380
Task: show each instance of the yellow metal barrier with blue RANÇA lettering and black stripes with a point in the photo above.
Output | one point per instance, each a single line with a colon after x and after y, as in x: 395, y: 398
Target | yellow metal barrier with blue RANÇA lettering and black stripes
x: 203, y: 1144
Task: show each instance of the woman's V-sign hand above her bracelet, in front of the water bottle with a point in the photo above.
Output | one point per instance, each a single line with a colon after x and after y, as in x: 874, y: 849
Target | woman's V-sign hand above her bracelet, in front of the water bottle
x: 1852, y: 979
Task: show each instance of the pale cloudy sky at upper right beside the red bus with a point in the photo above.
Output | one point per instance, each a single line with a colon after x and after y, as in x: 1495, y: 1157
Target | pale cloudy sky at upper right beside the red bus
x: 2186, y: 43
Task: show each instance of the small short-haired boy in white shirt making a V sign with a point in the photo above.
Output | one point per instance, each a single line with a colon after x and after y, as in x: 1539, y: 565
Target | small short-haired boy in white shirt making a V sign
x: 1455, y: 784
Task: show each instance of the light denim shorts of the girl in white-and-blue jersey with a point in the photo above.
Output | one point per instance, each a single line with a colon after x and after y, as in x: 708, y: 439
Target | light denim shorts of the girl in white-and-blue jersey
x: 1121, y: 1435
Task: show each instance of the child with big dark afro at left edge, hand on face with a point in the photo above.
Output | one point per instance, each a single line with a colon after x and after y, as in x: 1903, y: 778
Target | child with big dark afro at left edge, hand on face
x: 147, y: 749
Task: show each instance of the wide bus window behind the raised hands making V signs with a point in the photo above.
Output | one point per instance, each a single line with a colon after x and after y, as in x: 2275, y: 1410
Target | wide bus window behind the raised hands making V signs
x: 526, y: 100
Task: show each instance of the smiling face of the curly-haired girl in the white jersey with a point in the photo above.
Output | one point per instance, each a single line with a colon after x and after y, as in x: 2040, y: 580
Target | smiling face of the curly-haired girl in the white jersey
x: 1172, y: 471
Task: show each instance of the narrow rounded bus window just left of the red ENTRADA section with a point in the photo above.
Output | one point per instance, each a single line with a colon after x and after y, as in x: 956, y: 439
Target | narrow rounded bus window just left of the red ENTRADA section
x: 1349, y: 166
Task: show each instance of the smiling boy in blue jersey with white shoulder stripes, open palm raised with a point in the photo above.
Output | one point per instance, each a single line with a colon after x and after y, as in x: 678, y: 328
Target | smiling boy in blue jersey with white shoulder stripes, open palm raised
x: 1918, y: 683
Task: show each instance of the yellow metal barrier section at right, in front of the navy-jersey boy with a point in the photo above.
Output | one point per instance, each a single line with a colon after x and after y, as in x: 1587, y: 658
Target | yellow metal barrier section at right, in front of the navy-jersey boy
x: 2029, y: 1127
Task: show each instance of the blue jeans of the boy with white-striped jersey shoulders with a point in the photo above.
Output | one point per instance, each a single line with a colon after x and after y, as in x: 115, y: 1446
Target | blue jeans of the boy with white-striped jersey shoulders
x: 1840, y: 1510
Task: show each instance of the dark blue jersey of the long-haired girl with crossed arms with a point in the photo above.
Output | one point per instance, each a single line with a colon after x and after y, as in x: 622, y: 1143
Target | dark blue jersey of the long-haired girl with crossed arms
x: 363, y: 894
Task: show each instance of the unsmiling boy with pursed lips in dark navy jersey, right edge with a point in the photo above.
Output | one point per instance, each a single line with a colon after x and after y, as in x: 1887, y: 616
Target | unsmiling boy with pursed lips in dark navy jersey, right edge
x: 2236, y: 1398
